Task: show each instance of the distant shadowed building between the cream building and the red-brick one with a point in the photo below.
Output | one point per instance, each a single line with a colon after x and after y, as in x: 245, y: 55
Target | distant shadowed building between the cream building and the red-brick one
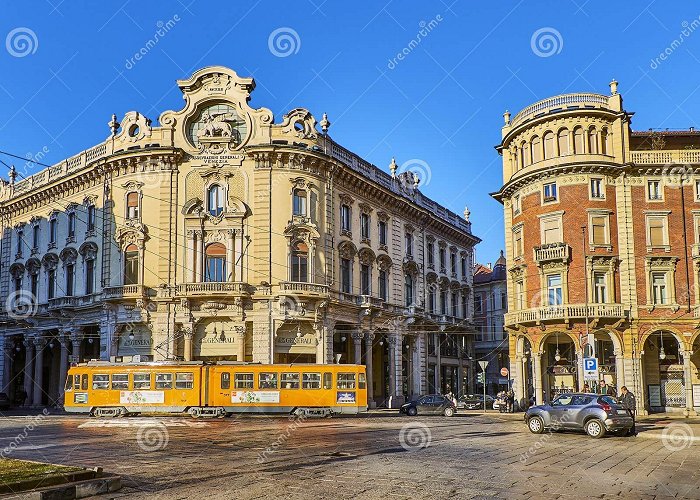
x: 490, y: 307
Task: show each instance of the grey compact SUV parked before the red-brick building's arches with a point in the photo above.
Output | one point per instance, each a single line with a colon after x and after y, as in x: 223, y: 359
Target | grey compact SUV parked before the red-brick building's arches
x: 593, y: 413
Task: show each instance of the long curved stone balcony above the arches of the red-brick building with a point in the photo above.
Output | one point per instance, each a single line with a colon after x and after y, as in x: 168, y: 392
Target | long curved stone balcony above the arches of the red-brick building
x: 564, y: 313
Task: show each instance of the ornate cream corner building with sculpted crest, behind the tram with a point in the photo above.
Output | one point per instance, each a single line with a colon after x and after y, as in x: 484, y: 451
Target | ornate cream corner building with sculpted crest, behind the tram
x: 220, y: 234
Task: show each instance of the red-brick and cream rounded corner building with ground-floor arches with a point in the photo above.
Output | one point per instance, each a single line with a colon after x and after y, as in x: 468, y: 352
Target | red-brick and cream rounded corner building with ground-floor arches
x: 602, y: 235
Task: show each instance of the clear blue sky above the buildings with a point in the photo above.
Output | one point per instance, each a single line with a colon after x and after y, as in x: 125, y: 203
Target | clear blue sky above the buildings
x: 64, y: 69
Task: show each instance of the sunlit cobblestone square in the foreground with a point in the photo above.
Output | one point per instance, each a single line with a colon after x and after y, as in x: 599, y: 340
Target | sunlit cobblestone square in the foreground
x: 380, y: 456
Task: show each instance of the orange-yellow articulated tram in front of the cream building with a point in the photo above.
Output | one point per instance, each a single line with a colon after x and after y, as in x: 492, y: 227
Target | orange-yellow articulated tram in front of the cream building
x: 104, y: 389
